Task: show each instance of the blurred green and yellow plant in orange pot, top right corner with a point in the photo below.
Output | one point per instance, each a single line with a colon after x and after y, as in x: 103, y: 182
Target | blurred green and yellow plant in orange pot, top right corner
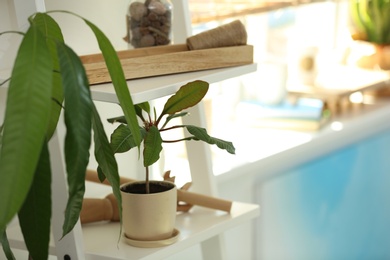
x: 371, y: 24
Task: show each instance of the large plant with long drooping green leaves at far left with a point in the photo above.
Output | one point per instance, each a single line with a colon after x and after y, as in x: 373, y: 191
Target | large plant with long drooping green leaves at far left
x: 47, y: 78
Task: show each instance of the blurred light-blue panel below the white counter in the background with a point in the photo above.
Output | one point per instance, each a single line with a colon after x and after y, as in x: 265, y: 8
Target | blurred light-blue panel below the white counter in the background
x: 335, y: 207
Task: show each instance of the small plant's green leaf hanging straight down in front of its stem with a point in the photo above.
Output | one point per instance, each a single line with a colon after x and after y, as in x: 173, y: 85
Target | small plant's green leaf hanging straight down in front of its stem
x: 152, y: 146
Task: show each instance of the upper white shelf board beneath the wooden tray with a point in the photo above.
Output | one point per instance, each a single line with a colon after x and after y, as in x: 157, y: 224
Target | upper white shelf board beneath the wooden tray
x: 155, y: 87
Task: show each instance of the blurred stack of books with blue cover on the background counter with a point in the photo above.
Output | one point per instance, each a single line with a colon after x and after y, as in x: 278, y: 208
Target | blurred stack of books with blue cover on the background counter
x: 304, y: 114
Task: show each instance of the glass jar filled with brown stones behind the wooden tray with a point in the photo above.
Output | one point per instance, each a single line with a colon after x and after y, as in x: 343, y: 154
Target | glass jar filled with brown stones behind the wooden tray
x: 149, y: 23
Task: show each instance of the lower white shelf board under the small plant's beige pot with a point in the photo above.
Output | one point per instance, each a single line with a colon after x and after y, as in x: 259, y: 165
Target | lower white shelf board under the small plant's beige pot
x: 200, y: 224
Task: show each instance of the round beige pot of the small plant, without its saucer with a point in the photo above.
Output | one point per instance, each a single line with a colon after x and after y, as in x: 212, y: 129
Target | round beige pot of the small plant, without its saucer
x: 149, y: 217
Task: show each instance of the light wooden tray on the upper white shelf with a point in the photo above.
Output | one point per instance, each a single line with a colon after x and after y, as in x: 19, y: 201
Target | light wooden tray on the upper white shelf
x: 164, y: 60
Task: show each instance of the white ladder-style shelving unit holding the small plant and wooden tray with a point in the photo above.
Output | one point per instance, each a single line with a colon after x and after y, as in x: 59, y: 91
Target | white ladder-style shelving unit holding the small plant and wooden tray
x: 100, y: 240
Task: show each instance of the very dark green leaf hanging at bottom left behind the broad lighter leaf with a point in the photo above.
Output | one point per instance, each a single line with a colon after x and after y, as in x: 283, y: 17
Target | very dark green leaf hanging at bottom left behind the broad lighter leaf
x: 35, y: 214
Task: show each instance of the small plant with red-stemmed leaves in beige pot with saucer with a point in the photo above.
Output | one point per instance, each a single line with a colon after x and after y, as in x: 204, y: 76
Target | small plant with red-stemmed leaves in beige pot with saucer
x: 153, y: 125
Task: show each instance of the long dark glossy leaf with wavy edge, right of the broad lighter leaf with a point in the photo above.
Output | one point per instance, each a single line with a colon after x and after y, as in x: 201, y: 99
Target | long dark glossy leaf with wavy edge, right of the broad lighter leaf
x: 78, y: 117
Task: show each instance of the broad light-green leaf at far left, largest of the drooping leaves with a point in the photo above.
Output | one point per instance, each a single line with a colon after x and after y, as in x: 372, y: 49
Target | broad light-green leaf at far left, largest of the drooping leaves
x: 26, y: 119
